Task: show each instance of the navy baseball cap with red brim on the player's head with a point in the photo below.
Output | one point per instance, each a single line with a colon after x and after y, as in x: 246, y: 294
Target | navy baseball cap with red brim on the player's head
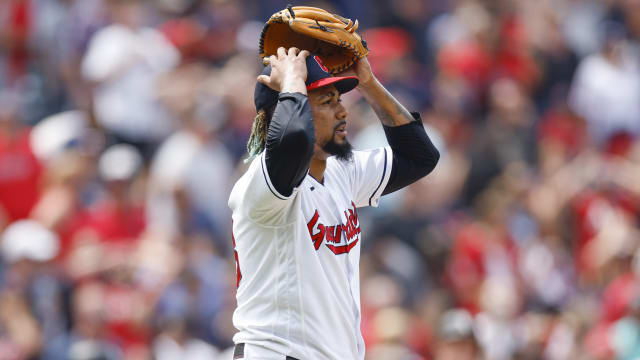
x: 317, y: 77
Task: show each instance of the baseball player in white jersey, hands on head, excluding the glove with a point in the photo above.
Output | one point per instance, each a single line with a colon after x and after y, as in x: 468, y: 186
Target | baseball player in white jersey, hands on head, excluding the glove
x: 296, y: 231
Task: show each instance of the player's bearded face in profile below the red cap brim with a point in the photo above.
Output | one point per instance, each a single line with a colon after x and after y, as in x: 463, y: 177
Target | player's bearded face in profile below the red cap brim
x: 329, y: 118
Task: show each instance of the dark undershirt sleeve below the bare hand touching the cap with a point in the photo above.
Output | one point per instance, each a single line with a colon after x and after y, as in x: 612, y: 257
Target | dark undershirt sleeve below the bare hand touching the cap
x: 290, y: 141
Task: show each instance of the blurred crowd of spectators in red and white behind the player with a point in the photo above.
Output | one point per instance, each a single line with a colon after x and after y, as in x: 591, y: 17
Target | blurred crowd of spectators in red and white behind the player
x: 123, y: 126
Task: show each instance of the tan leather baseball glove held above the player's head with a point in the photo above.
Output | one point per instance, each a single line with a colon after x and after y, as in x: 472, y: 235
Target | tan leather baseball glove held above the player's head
x: 330, y: 36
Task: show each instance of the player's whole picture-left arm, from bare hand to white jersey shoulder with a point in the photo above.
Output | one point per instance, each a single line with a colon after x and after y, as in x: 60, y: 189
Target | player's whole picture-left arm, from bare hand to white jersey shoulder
x: 266, y: 191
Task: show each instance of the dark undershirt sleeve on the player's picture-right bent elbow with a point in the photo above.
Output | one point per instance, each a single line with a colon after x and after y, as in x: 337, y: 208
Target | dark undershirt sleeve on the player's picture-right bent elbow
x: 414, y: 155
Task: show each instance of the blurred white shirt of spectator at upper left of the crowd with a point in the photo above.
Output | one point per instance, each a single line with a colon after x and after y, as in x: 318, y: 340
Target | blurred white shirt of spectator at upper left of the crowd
x: 127, y: 63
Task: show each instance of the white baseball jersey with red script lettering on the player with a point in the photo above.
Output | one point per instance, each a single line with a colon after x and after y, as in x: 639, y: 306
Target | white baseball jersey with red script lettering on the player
x: 298, y: 258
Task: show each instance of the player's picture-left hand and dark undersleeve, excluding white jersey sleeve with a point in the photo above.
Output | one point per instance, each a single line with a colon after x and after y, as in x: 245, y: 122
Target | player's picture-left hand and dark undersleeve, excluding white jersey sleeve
x: 290, y: 138
